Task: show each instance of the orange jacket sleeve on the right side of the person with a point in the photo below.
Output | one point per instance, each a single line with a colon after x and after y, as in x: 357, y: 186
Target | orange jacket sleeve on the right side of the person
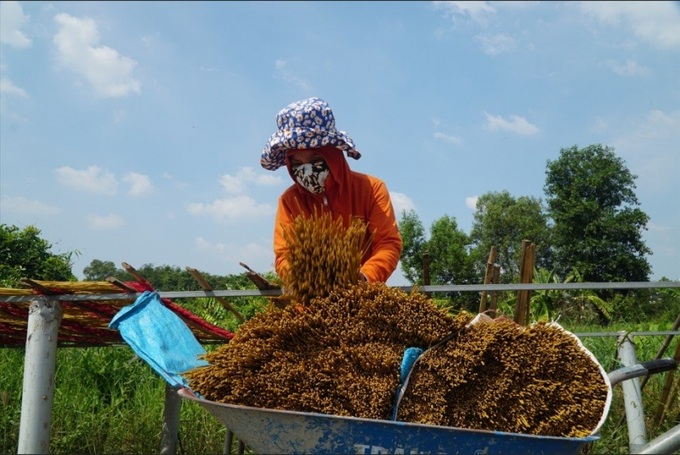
x: 386, y: 241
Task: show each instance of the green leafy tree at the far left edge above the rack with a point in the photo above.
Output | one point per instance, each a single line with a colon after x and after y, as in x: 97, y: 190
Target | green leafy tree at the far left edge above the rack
x: 25, y: 254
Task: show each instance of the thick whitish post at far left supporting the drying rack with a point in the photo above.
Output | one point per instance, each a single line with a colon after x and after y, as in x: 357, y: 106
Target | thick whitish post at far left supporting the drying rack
x: 44, y: 319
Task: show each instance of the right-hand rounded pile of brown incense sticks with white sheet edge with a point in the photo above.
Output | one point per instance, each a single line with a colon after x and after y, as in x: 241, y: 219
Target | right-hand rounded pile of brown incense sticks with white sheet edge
x: 506, y: 377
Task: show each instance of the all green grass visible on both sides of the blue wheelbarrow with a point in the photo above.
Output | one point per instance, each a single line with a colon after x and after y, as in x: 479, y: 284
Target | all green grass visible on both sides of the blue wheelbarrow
x: 108, y: 401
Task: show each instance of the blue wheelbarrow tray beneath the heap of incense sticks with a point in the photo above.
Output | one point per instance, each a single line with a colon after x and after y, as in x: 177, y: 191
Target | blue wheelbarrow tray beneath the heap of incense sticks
x: 291, y: 432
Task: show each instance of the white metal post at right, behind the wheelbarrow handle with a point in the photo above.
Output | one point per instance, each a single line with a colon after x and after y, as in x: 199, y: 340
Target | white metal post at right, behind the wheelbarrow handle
x: 632, y: 397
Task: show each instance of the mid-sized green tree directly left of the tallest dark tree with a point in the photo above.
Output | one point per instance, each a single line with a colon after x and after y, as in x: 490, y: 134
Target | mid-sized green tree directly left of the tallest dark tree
x: 503, y: 221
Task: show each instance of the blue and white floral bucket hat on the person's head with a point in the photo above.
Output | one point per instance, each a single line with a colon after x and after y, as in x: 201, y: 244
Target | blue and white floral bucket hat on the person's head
x: 304, y: 124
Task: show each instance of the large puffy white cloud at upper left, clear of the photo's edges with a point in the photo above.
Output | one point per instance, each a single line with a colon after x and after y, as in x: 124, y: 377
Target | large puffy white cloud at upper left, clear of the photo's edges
x: 108, y: 72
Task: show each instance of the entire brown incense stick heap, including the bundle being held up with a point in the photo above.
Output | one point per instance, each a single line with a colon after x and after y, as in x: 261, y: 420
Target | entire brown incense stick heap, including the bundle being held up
x: 338, y: 350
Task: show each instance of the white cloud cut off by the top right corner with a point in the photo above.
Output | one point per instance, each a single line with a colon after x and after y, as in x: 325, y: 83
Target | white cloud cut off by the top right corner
x: 654, y: 22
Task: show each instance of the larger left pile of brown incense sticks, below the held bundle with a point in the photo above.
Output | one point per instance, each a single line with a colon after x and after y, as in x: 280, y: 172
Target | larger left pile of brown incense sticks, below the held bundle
x: 341, y: 355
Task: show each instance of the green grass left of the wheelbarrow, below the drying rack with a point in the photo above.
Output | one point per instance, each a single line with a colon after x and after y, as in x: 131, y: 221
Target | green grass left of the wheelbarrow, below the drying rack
x: 106, y: 400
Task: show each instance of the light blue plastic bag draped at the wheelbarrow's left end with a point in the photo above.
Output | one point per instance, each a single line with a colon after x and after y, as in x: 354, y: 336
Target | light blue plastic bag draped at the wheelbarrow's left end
x: 159, y: 337
